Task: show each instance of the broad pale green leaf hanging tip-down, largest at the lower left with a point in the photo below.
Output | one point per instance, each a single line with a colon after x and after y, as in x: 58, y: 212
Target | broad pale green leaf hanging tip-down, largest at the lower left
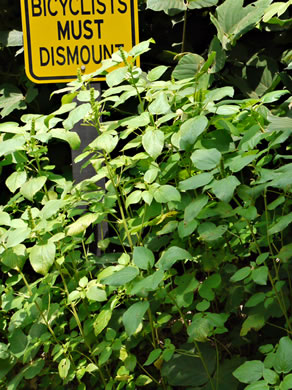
x: 42, y: 257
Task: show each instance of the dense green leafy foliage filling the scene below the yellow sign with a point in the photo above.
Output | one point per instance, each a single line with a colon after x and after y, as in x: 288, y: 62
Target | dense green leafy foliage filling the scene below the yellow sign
x: 193, y: 286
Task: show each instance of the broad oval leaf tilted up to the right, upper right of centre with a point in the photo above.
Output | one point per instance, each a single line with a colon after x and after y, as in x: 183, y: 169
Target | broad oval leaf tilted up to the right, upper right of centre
x: 191, y: 130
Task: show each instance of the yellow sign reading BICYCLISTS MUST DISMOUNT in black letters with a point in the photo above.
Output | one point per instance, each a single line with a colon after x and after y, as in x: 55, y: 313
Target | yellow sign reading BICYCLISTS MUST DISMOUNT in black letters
x: 61, y: 36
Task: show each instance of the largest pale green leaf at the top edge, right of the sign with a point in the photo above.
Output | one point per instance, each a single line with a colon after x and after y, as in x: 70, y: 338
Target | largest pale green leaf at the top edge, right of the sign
x: 233, y: 20
